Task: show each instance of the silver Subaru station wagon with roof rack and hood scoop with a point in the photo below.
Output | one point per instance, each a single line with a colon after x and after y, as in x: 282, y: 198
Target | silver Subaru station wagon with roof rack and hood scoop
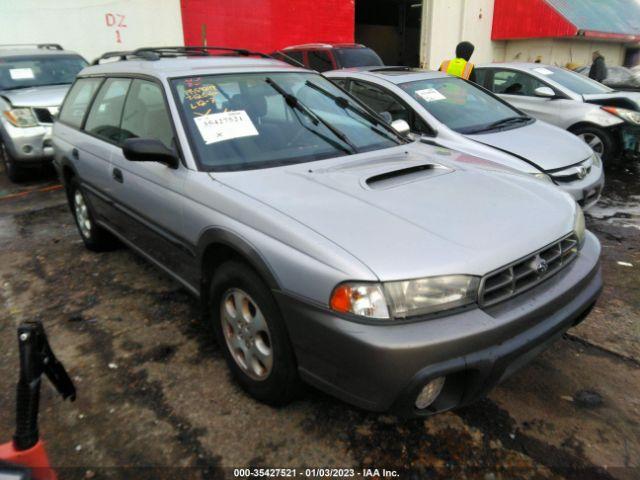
x: 324, y: 246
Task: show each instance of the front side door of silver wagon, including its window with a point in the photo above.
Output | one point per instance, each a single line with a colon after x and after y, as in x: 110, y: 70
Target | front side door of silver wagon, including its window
x: 150, y: 193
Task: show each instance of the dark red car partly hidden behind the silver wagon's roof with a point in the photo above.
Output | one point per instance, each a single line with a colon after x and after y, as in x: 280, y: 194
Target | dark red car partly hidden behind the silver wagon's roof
x: 330, y: 56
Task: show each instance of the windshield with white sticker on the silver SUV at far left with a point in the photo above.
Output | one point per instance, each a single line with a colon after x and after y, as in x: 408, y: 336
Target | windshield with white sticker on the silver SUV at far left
x: 36, y: 71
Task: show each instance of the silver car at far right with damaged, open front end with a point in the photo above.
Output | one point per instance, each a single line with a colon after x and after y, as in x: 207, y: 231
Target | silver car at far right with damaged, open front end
x: 609, y: 121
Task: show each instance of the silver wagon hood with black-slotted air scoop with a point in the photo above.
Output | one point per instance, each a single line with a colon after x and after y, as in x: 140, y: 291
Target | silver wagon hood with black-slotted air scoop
x: 448, y: 213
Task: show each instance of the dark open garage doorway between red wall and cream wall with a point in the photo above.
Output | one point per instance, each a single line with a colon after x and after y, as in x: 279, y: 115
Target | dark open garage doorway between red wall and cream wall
x: 391, y: 28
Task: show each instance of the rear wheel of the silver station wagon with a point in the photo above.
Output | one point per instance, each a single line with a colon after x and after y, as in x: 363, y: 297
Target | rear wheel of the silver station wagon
x: 95, y: 238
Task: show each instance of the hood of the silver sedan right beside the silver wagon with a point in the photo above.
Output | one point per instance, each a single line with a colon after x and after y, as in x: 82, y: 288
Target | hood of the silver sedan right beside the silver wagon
x: 548, y: 147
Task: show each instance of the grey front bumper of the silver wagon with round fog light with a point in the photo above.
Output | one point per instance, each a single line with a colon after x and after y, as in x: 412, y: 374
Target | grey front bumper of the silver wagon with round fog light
x: 388, y: 367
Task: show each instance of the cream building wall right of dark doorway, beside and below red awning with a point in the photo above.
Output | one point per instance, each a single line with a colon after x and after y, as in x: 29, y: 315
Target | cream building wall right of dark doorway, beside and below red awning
x: 448, y: 22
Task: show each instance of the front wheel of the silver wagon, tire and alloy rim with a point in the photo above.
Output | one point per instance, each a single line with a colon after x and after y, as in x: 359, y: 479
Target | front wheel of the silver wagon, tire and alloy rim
x: 250, y: 343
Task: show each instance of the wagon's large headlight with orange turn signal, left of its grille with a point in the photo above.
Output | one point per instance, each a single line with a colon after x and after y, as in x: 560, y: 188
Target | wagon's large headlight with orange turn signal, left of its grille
x: 406, y: 298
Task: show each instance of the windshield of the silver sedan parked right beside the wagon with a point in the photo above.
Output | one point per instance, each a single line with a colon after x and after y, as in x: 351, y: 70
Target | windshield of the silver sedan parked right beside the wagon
x: 460, y: 105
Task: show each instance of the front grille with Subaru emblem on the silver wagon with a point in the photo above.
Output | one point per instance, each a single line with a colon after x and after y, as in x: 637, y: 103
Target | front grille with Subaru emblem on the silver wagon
x: 527, y: 272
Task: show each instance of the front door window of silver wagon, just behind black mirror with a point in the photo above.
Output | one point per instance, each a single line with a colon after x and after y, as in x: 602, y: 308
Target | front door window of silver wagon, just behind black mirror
x: 145, y: 114
